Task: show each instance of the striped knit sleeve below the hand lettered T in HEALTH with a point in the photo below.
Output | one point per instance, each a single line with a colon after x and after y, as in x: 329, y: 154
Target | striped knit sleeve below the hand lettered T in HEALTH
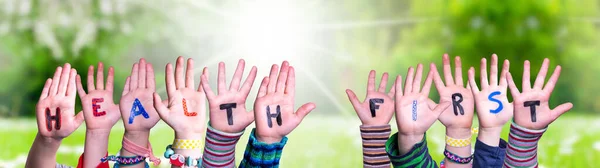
x: 219, y: 148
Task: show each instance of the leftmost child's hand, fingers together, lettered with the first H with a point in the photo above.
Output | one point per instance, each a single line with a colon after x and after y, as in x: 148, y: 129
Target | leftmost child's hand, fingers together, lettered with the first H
x: 55, y: 111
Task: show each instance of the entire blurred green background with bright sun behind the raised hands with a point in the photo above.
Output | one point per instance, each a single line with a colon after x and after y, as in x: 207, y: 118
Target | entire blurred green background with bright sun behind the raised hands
x: 332, y: 44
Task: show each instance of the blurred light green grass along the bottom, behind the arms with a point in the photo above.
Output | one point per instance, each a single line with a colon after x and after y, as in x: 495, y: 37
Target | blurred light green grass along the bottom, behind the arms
x: 321, y: 141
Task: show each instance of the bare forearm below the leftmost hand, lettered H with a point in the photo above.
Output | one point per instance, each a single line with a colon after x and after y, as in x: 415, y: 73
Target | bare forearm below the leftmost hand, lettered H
x: 42, y: 153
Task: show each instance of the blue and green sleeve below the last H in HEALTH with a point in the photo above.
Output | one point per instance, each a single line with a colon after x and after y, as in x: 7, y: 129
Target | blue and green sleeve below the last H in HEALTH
x: 260, y: 154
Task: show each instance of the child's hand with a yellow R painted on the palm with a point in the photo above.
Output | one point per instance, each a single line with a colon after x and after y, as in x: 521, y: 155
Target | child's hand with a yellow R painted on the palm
x: 460, y: 115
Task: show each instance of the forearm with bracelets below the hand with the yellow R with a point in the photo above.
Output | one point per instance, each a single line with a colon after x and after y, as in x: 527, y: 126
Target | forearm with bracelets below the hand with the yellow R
x: 463, y: 150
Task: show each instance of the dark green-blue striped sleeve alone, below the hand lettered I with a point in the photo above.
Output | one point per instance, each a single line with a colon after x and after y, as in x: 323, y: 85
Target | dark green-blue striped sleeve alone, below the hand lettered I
x: 418, y: 156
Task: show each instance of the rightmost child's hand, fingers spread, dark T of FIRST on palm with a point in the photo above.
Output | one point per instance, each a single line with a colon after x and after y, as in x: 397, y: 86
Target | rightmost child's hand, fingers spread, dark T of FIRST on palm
x: 531, y: 106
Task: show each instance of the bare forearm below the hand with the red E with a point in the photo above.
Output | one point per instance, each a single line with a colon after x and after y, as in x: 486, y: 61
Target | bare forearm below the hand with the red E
x: 96, y: 147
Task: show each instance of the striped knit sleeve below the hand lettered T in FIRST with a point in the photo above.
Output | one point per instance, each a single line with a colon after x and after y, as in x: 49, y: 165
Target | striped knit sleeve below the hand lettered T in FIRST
x: 522, y: 146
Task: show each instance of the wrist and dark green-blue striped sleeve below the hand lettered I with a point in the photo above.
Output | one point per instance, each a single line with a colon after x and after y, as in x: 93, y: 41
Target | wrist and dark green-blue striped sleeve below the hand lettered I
x: 417, y: 154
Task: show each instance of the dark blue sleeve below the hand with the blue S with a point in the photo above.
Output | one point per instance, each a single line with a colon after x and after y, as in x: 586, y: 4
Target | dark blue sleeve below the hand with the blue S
x: 488, y: 156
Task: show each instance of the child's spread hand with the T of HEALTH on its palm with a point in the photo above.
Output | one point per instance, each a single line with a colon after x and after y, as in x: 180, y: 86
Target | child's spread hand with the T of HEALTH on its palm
x: 228, y: 109
